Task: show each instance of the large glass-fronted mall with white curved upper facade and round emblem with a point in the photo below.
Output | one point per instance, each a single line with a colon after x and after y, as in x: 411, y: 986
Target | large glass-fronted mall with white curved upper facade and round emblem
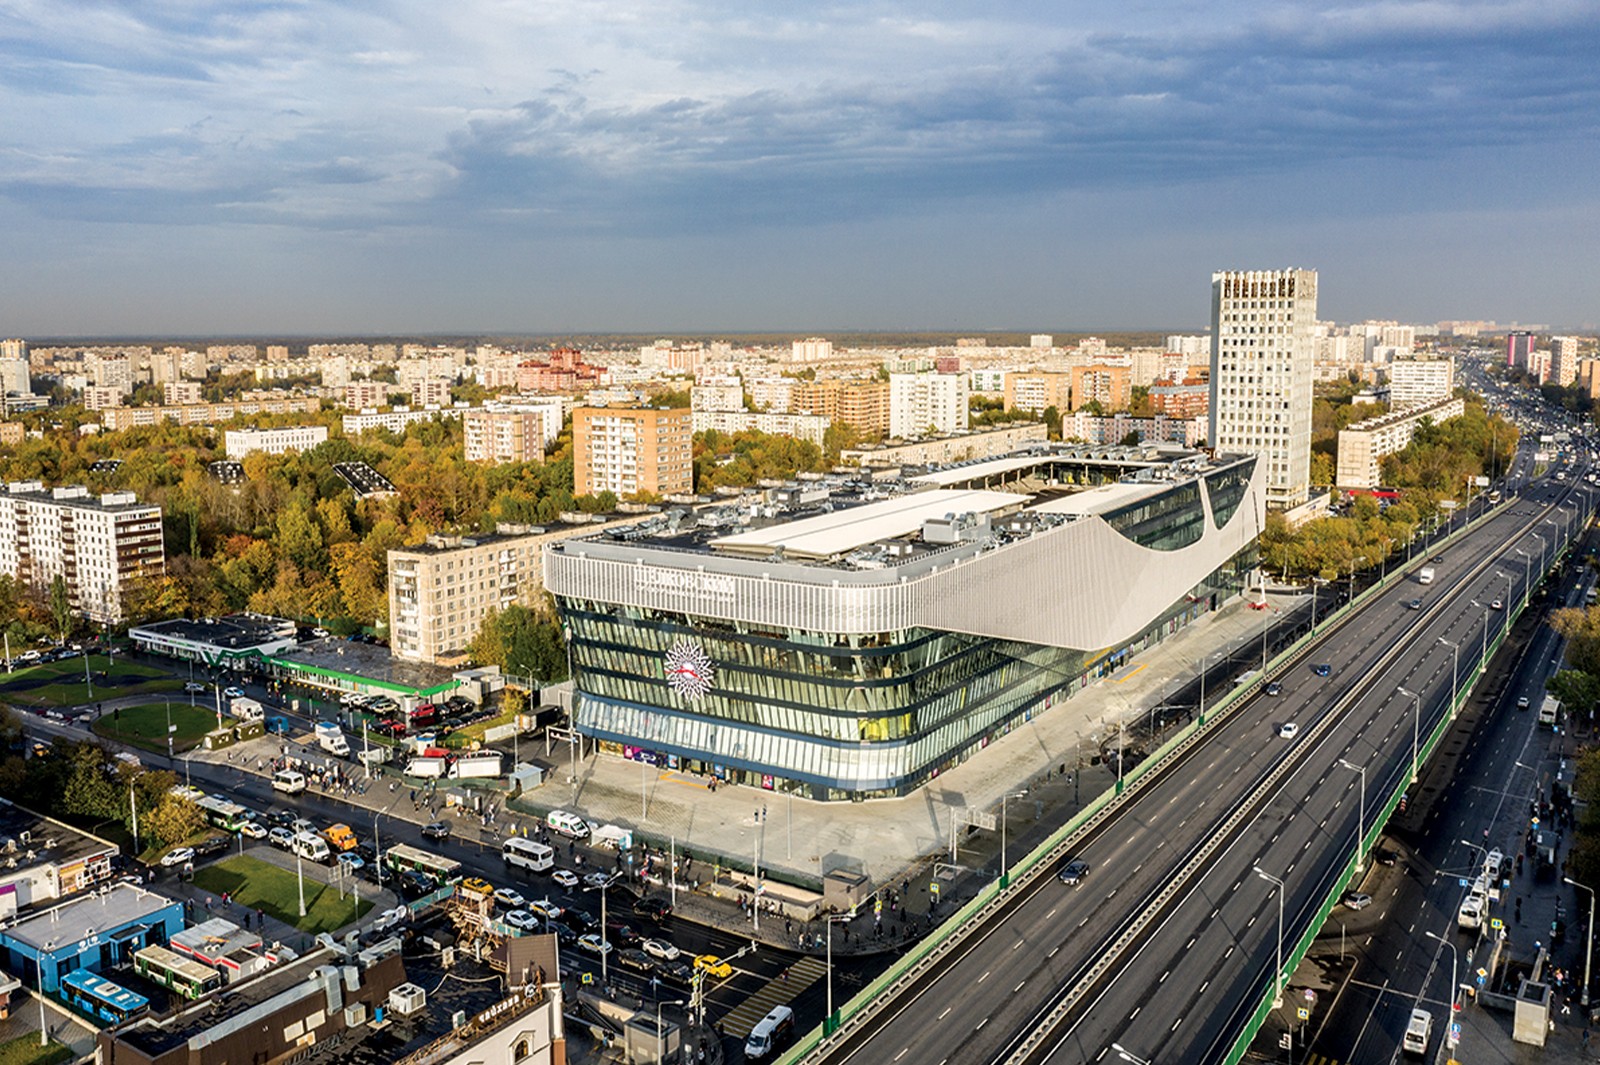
x: 854, y: 637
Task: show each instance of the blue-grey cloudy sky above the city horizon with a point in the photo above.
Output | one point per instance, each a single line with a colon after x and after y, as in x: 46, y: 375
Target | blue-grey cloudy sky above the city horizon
x: 297, y: 167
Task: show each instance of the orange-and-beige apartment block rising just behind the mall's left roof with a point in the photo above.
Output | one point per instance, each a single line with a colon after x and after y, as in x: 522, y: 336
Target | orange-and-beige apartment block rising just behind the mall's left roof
x: 628, y: 450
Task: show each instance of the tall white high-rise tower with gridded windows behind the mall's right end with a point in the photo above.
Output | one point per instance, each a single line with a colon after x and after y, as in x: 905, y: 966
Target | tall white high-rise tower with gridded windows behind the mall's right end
x: 1262, y: 373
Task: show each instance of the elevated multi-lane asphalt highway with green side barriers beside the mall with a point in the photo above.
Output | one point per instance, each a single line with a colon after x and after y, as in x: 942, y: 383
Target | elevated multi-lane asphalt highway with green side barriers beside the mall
x: 1172, y: 938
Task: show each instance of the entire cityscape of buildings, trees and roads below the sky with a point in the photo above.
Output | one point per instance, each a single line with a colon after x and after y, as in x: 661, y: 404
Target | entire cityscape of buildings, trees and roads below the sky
x: 1204, y: 698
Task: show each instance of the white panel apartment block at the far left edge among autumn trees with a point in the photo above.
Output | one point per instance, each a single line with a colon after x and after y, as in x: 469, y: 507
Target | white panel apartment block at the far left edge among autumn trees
x: 100, y: 544
